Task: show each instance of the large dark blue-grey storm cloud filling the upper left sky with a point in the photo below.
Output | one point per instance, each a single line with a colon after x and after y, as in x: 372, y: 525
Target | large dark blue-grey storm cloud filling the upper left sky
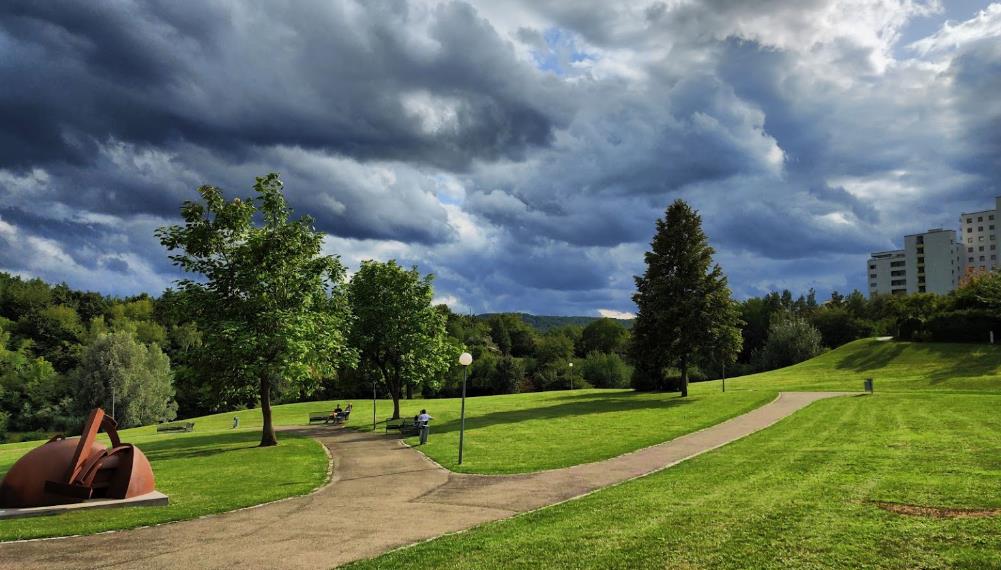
x: 318, y: 76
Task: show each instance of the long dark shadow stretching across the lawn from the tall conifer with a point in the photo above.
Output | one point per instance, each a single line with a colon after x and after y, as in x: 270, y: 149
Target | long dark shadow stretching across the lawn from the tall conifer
x: 626, y: 403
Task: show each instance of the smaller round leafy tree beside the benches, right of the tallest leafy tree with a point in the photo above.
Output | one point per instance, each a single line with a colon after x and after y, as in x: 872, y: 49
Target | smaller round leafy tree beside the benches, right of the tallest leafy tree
x: 397, y: 330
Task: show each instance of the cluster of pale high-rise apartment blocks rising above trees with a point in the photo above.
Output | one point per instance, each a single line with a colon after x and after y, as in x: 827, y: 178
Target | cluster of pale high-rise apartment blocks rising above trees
x: 936, y: 261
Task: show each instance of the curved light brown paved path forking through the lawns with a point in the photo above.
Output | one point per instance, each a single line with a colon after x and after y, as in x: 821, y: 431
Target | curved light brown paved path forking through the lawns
x: 380, y: 488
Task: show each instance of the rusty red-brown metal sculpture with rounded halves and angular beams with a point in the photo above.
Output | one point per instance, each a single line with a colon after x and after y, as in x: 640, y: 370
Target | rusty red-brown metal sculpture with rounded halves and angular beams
x: 74, y: 470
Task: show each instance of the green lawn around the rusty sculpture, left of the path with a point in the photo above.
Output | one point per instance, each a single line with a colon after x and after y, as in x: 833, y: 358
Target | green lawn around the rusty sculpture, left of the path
x: 203, y: 473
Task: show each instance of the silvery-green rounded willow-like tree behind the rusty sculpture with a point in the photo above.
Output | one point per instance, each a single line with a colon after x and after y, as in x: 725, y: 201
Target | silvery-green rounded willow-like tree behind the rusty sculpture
x: 119, y: 373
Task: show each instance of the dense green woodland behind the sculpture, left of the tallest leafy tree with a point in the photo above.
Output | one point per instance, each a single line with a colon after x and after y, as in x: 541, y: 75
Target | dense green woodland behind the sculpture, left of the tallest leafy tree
x: 64, y: 351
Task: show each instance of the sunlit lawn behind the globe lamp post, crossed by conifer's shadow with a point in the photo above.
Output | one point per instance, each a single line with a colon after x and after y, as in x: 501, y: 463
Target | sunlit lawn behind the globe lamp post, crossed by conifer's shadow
x: 532, y: 432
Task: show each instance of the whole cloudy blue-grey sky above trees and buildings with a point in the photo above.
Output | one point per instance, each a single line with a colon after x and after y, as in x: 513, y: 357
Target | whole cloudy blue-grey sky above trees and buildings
x: 519, y: 151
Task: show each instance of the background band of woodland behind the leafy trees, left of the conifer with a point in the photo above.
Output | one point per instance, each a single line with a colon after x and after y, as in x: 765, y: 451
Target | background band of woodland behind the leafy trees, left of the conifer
x: 64, y: 351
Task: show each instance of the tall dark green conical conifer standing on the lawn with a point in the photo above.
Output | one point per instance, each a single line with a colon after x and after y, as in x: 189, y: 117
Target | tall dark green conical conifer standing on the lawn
x: 686, y: 313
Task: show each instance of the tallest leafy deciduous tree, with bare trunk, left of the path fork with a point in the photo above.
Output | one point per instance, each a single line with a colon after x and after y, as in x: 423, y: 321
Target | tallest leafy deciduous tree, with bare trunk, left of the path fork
x: 270, y: 305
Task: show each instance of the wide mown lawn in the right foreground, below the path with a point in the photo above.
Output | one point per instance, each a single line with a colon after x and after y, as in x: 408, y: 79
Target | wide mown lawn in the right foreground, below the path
x: 801, y: 494
